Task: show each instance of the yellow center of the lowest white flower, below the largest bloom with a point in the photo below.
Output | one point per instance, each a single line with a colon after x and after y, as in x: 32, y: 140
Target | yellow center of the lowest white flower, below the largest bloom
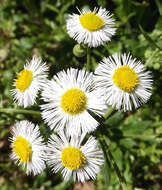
x: 72, y: 158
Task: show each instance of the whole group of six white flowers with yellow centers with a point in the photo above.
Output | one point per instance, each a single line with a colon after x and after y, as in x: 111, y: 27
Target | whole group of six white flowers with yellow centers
x: 73, y: 99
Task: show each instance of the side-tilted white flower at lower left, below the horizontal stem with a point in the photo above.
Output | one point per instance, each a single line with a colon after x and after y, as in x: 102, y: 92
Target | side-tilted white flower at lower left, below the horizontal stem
x: 28, y: 147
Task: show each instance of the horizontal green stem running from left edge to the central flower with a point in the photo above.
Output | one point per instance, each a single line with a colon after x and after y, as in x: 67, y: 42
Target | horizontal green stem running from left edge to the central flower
x: 12, y: 110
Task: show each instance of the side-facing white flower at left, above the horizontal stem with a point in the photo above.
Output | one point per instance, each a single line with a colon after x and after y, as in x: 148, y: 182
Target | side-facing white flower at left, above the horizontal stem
x: 29, y: 81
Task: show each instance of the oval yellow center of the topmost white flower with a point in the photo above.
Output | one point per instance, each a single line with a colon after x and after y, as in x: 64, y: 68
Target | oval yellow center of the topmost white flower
x: 91, y: 21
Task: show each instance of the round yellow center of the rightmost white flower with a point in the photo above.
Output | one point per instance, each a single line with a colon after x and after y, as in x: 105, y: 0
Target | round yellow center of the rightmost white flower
x: 125, y: 78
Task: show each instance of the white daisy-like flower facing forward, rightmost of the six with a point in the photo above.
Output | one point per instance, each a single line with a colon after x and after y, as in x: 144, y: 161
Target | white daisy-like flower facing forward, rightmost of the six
x: 125, y: 81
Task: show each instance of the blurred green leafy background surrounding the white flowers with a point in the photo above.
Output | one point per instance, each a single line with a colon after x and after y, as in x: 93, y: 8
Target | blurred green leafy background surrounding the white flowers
x: 38, y: 27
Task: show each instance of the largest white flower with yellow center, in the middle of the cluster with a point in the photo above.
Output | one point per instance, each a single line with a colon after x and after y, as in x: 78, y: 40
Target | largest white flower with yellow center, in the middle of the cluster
x: 69, y: 96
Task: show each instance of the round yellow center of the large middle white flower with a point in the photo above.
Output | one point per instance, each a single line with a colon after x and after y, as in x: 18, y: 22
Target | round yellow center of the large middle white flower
x: 73, y: 101
